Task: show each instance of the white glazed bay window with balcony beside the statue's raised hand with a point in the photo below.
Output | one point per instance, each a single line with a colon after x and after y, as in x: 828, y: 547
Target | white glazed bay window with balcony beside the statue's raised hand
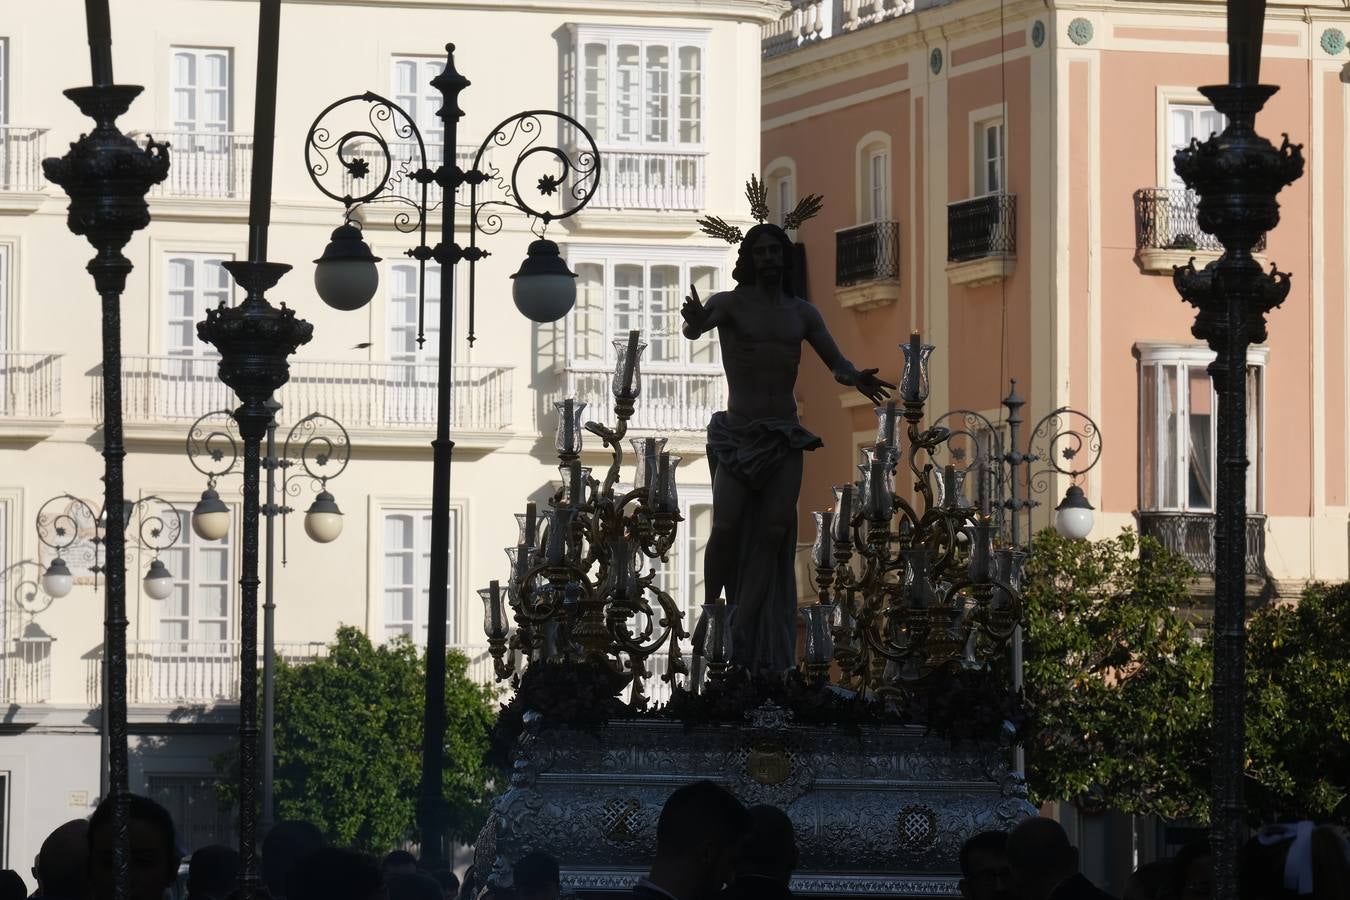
x: 624, y: 288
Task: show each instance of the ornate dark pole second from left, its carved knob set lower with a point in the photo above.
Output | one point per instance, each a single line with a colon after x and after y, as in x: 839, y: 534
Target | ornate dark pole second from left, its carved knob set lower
x: 254, y: 341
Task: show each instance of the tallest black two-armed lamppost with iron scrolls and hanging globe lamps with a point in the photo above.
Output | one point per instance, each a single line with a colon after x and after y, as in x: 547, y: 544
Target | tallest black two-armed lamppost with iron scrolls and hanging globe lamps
x: 564, y: 179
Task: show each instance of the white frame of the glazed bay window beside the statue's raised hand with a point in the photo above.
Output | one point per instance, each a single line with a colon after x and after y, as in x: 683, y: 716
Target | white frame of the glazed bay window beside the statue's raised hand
x: 611, y: 256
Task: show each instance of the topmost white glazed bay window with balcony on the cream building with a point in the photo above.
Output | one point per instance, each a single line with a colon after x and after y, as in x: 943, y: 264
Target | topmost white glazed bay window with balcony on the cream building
x: 641, y: 94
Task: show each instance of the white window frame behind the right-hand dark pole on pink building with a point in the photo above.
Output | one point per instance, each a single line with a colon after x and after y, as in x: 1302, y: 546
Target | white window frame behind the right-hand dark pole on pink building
x: 1187, y: 358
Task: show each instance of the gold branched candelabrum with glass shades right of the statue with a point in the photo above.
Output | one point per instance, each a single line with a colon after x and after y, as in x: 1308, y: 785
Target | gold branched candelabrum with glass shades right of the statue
x: 908, y: 590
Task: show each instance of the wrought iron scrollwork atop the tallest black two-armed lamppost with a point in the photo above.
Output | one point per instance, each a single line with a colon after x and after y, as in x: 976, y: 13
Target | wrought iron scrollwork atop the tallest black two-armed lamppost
x: 546, y: 181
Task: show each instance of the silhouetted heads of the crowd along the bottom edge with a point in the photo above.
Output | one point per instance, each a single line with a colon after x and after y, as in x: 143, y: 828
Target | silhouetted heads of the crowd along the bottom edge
x: 709, y: 847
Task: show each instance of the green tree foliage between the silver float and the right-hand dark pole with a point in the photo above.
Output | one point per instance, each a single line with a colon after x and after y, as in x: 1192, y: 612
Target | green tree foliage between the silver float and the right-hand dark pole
x: 1117, y: 685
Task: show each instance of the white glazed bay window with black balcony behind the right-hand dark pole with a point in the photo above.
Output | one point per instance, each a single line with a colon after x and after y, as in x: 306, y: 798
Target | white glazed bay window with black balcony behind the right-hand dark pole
x: 1179, y: 450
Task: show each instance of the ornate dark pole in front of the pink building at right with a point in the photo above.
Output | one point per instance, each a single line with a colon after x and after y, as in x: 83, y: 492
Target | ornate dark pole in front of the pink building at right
x: 1237, y: 175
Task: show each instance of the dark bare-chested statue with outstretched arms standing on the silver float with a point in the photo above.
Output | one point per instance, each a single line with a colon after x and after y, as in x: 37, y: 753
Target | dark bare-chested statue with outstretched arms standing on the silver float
x: 757, y: 446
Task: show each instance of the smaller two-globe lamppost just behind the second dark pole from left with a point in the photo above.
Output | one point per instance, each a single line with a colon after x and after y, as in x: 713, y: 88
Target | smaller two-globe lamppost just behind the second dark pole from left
x: 319, y: 449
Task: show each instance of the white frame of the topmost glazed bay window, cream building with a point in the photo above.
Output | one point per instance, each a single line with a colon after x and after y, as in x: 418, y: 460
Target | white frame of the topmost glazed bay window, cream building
x: 615, y: 37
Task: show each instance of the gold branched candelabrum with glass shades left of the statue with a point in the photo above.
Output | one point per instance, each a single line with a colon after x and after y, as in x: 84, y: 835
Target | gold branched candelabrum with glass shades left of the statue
x: 577, y: 590
